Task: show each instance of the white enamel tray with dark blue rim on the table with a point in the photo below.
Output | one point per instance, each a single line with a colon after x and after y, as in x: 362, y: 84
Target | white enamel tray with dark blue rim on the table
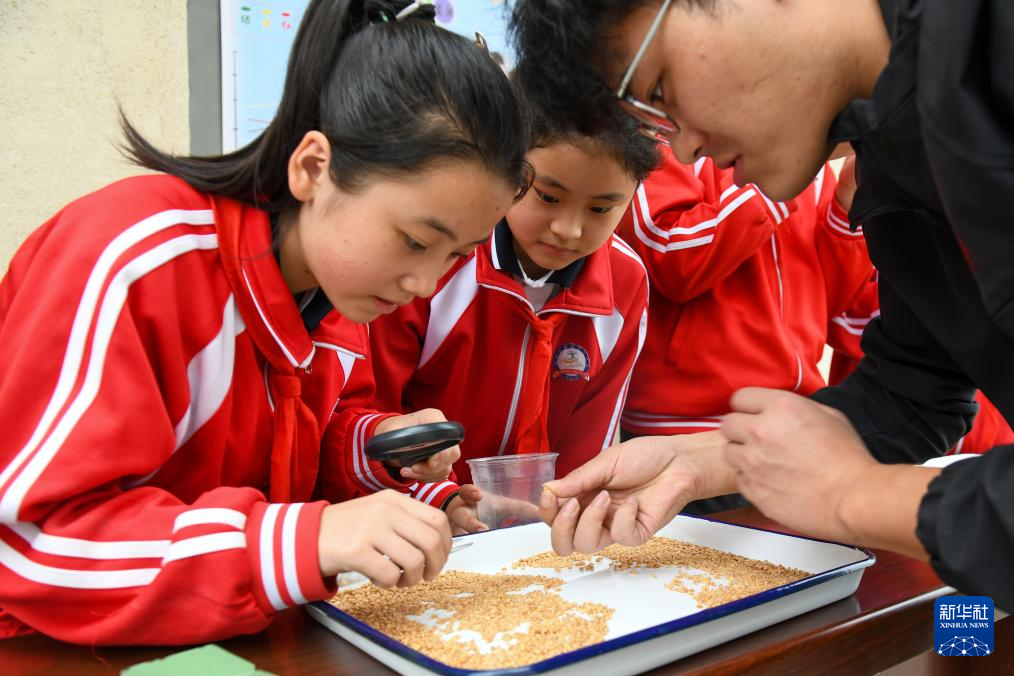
x: 653, y: 626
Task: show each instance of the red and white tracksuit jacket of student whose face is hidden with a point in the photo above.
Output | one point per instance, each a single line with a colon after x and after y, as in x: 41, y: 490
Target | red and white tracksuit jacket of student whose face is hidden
x: 742, y: 291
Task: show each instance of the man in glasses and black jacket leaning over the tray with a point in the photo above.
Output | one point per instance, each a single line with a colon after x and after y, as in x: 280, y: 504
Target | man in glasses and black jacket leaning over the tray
x: 924, y: 92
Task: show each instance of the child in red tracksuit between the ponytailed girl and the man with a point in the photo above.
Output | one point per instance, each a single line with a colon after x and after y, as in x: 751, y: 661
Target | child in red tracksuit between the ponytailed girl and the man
x: 531, y: 341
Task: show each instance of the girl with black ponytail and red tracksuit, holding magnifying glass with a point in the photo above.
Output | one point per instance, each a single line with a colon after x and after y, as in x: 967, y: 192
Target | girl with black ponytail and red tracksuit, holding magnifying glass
x: 178, y: 348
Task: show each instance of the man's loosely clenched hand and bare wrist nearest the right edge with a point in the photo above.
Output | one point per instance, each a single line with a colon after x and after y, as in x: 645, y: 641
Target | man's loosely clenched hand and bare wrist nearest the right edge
x: 803, y: 465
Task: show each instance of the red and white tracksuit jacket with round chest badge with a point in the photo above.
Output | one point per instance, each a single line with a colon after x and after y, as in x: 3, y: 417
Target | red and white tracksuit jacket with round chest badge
x: 519, y: 381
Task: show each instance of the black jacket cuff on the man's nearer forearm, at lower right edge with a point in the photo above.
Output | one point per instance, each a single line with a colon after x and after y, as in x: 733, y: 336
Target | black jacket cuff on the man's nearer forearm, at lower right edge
x: 967, y: 525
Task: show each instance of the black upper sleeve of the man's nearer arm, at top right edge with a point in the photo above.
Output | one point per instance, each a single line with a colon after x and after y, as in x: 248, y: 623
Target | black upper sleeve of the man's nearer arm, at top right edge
x: 966, y: 100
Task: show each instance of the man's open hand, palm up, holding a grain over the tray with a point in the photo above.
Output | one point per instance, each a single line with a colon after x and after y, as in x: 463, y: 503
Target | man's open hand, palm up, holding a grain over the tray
x: 630, y: 491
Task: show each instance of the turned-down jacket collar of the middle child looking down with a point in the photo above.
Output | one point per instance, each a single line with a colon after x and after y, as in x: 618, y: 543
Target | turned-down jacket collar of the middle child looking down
x: 588, y: 283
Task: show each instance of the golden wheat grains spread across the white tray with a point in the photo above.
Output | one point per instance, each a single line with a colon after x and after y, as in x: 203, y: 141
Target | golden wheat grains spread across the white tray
x: 472, y: 621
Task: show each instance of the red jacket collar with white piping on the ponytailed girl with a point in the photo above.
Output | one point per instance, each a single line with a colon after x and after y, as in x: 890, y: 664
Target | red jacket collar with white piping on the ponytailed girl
x: 267, y: 306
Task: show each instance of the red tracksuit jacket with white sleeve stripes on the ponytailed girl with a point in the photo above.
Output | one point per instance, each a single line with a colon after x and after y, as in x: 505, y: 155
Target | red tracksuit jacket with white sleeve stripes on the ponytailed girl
x: 158, y: 383
